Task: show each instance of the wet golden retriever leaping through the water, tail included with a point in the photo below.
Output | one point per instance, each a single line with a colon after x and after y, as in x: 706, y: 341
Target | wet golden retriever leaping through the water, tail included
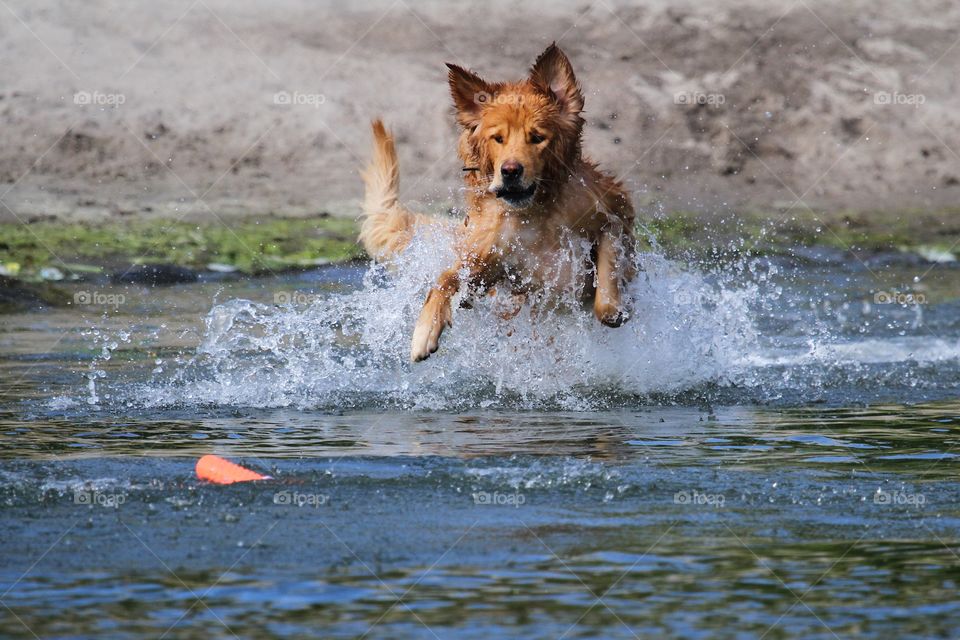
x: 528, y: 188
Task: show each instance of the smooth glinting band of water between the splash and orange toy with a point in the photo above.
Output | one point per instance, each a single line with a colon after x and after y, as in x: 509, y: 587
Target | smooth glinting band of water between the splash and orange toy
x: 747, y: 436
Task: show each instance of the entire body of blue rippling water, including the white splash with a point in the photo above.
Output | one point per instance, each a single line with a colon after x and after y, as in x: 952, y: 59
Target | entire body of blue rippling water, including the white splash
x: 762, y: 451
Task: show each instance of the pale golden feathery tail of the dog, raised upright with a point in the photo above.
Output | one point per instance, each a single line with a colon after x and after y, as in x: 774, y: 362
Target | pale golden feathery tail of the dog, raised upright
x: 387, y: 227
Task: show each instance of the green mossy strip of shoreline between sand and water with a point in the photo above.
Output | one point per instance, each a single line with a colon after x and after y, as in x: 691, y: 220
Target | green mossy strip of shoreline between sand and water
x: 37, y: 260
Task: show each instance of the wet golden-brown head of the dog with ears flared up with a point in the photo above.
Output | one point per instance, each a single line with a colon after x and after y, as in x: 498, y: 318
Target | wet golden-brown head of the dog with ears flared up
x: 524, y: 137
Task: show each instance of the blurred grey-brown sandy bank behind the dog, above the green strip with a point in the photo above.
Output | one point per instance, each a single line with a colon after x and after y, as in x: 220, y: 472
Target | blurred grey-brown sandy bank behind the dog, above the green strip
x: 196, y: 108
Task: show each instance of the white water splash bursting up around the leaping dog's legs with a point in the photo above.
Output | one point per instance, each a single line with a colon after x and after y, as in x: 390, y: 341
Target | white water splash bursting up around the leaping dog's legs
x: 352, y: 349
